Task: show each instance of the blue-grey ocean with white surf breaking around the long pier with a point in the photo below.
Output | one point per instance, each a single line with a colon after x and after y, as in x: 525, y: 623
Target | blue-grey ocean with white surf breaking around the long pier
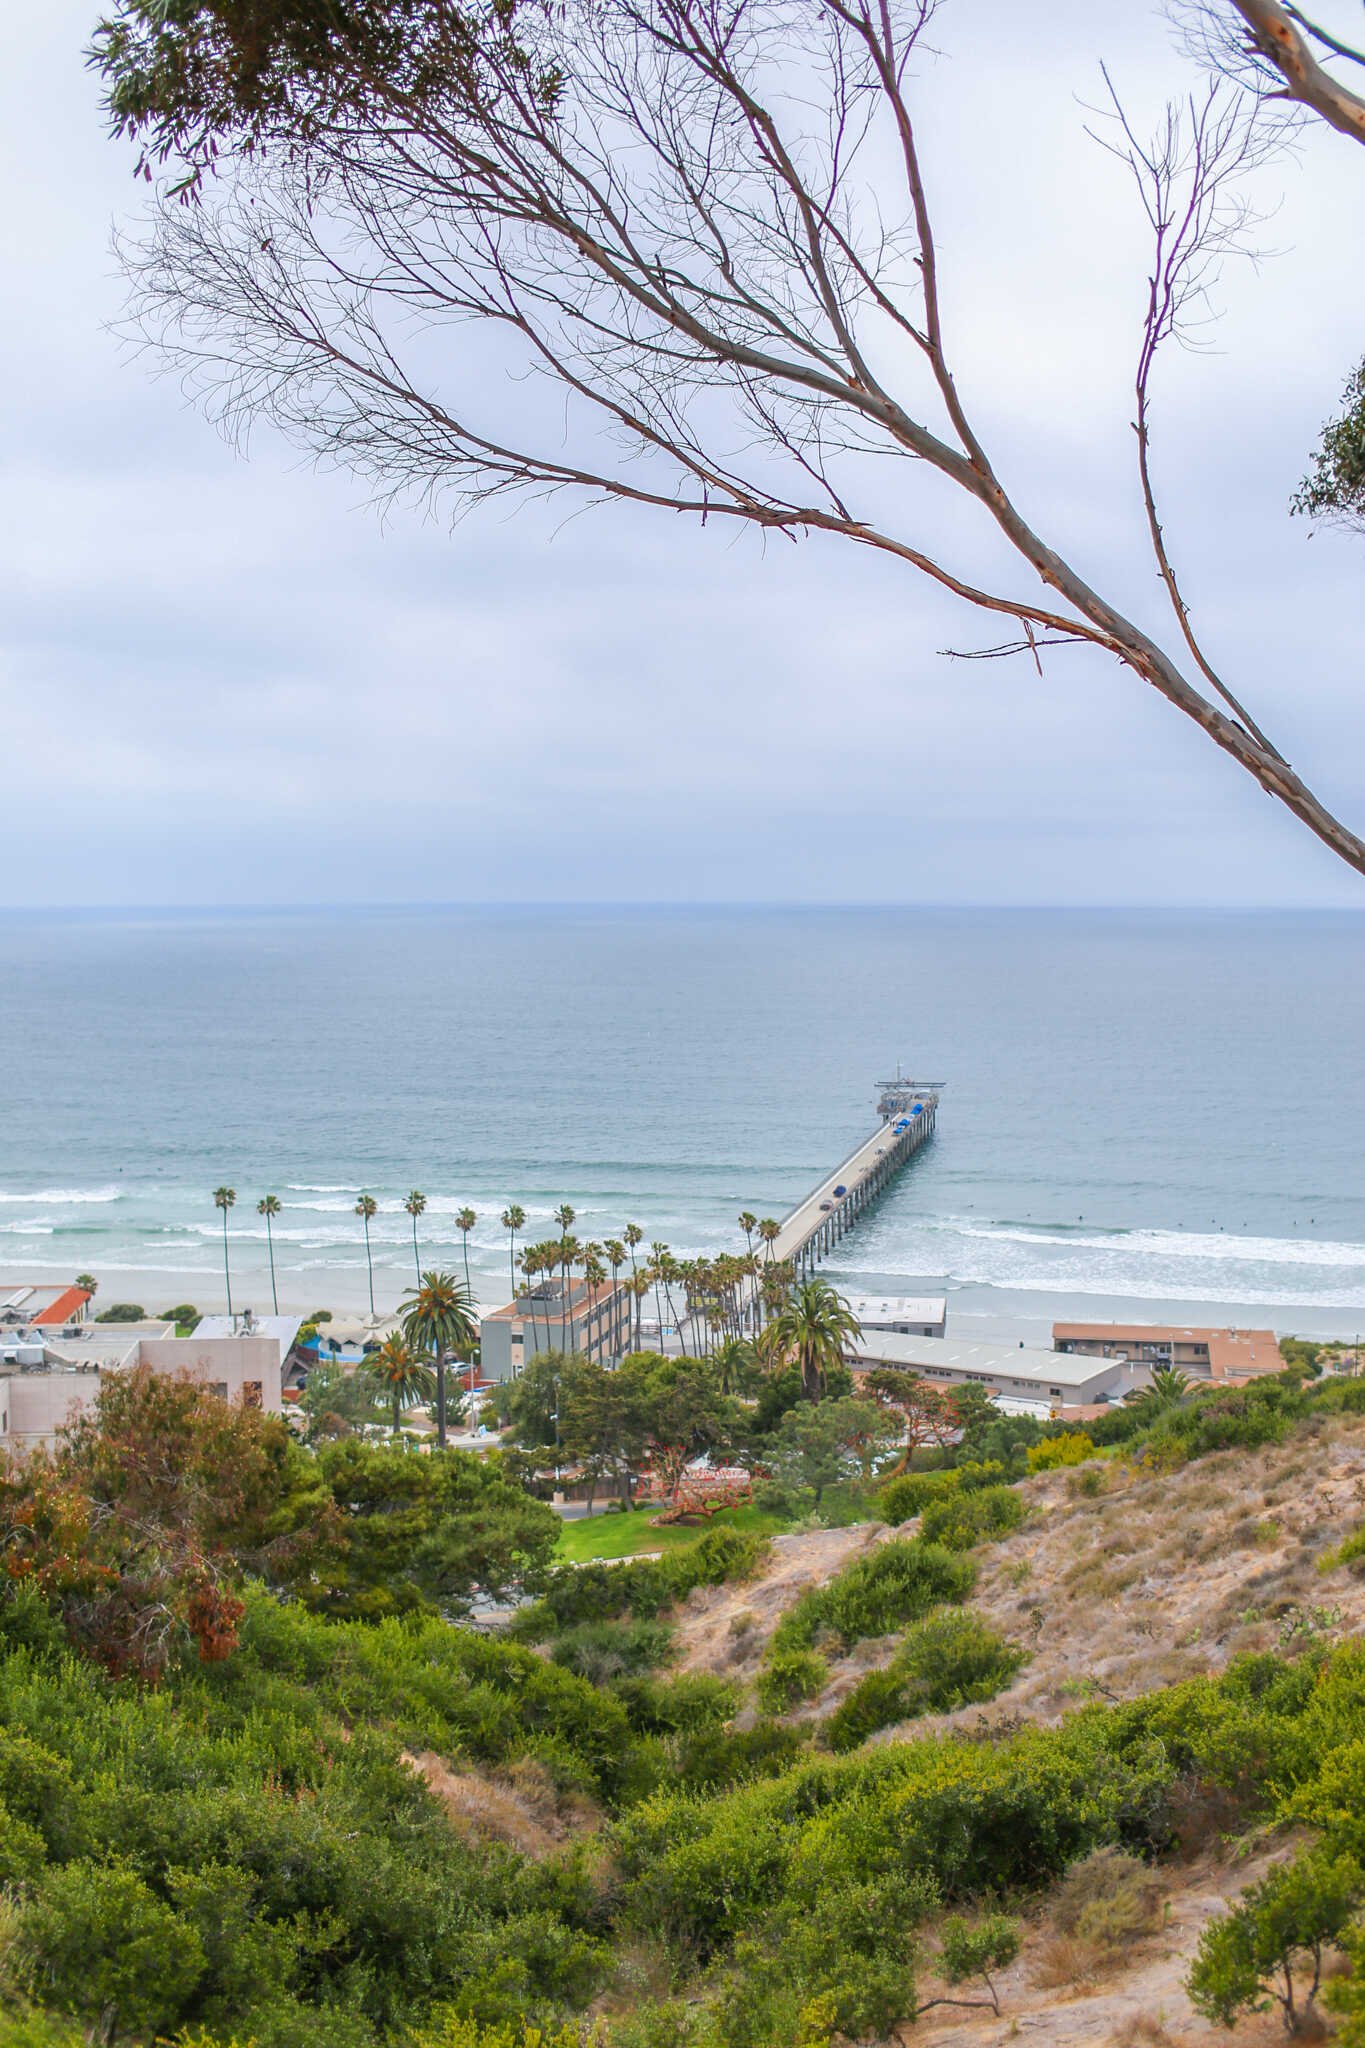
x: 1143, y: 1113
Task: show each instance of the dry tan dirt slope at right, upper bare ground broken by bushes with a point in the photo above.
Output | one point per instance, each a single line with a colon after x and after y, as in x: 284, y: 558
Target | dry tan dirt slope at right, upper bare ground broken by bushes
x: 1155, y: 1580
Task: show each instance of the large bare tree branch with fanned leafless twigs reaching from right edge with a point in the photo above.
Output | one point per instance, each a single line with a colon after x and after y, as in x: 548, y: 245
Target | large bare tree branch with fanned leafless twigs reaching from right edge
x: 693, y: 243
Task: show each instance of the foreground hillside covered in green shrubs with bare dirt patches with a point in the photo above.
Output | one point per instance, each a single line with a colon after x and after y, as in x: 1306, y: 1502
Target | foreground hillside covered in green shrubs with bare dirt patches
x: 1075, y: 1752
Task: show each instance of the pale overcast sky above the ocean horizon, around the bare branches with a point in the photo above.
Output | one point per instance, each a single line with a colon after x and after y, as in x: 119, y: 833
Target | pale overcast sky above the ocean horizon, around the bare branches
x: 224, y: 681
